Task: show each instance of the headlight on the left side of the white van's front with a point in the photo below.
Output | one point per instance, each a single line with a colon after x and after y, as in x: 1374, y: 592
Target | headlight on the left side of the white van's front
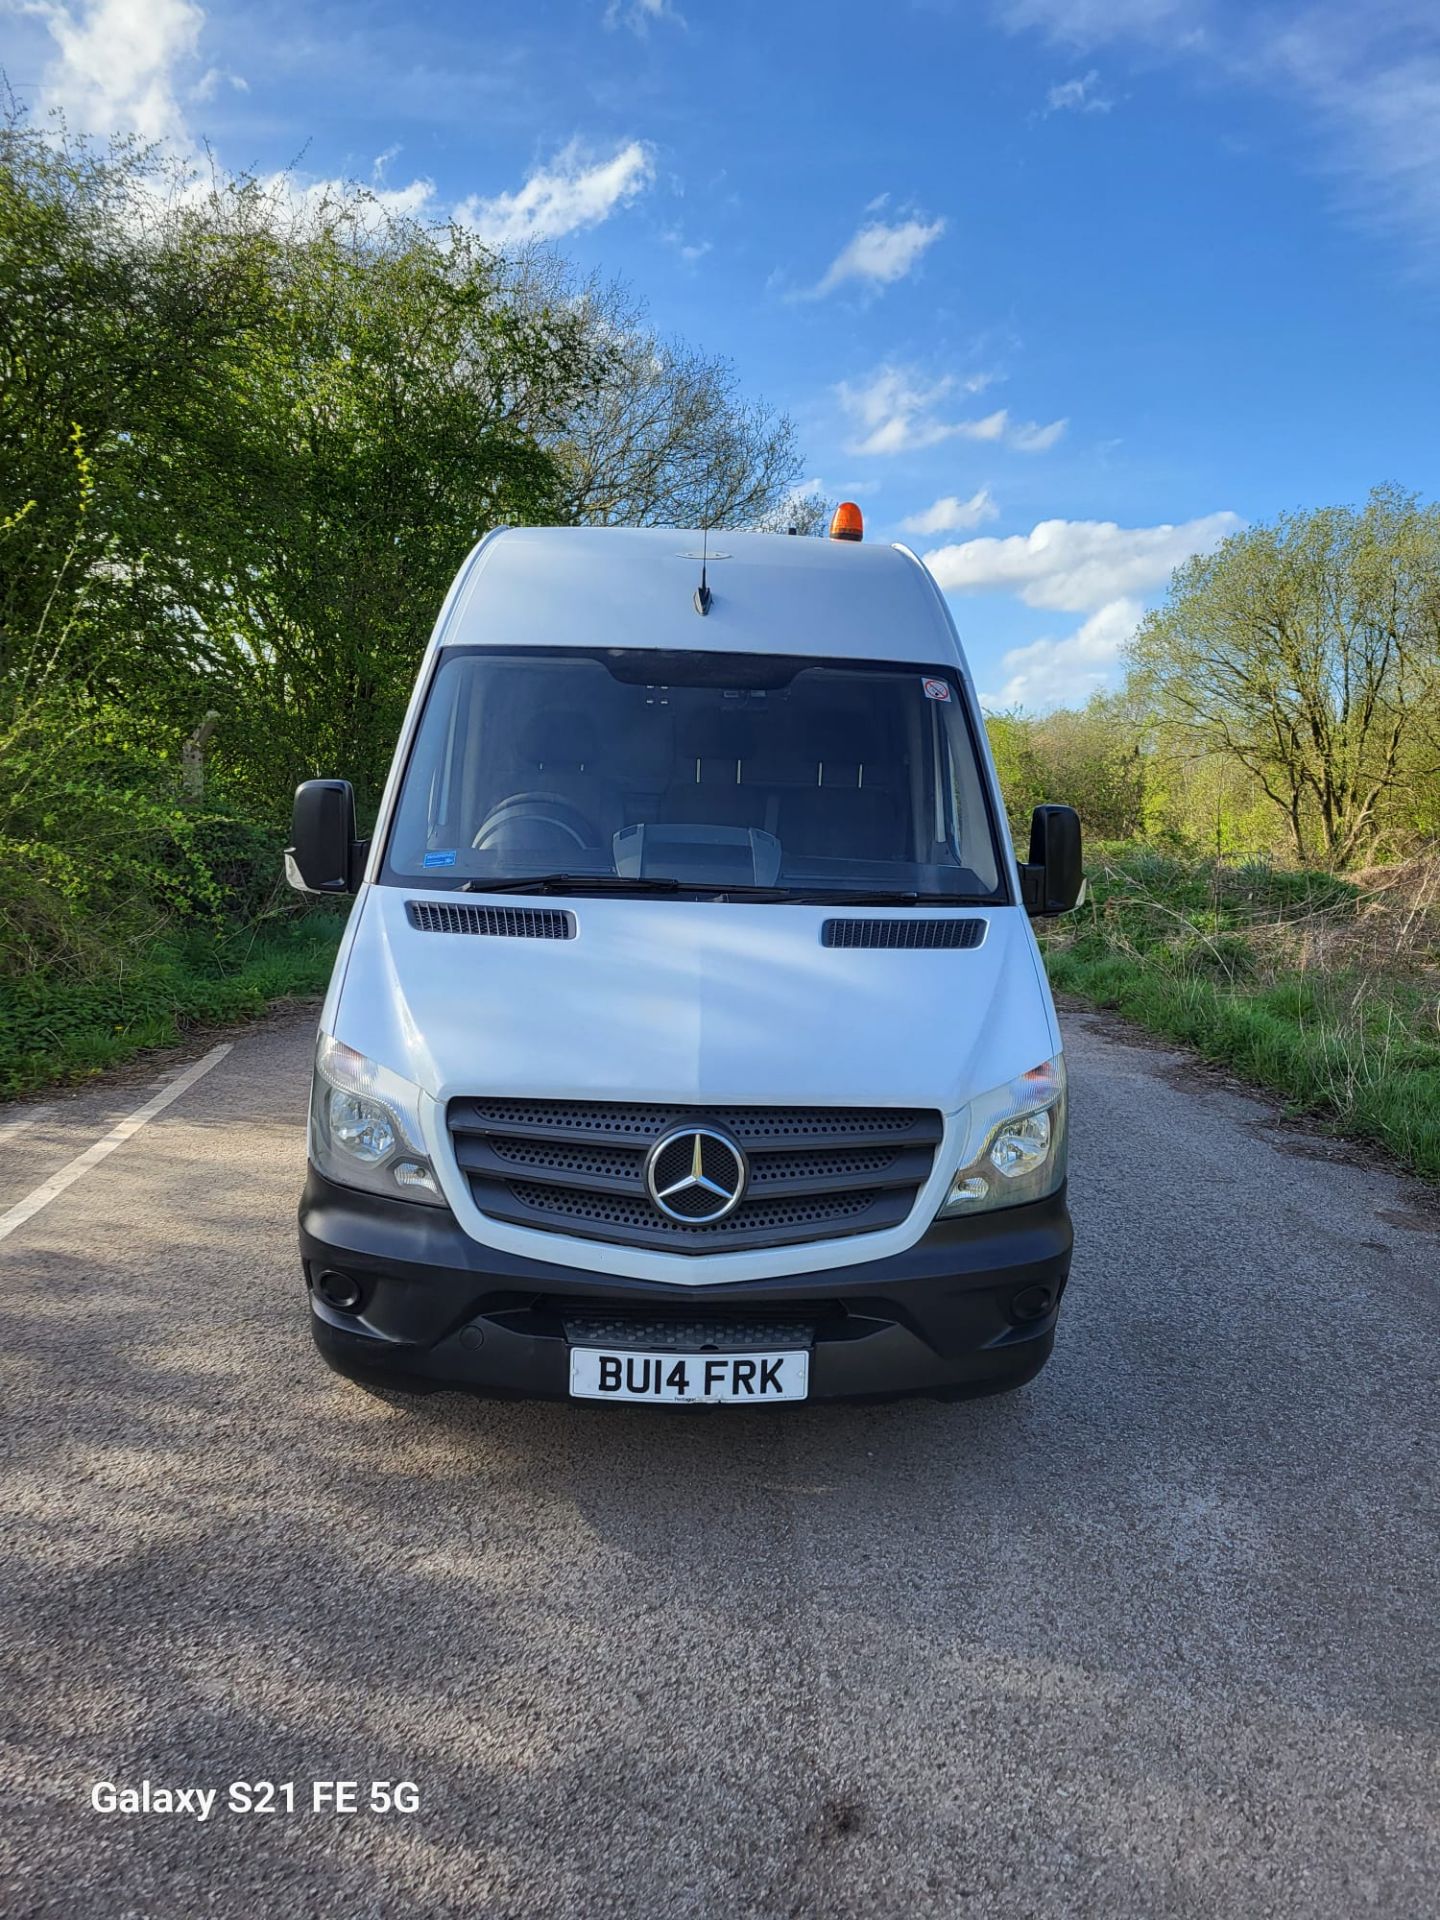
x: 366, y: 1128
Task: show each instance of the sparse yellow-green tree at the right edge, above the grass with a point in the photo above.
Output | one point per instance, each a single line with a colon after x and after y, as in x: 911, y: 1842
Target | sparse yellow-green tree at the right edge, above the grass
x: 1308, y: 652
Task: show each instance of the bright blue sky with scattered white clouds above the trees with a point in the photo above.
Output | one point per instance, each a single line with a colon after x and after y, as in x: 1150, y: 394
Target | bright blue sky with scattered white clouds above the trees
x: 1061, y: 291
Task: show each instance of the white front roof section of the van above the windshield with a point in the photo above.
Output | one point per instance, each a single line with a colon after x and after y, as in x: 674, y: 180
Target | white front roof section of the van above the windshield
x: 604, y: 587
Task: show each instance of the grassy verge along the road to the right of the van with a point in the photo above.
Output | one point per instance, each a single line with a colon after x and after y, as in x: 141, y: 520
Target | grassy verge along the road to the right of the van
x: 1322, y: 990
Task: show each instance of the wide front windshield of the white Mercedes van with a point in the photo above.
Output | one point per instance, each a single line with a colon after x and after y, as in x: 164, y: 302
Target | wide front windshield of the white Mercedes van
x: 694, y: 773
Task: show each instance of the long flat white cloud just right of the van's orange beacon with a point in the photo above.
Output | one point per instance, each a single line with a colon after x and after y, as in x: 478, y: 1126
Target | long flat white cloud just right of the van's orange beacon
x: 1078, y: 565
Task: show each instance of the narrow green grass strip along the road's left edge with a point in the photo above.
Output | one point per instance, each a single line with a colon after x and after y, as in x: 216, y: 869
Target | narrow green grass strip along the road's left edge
x: 59, y: 1028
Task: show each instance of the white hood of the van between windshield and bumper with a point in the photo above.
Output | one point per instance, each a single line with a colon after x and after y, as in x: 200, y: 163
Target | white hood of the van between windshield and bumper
x: 690, y: 1003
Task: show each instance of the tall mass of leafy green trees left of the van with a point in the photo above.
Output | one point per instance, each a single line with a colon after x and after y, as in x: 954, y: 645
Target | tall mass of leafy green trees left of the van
x: 293, y: 421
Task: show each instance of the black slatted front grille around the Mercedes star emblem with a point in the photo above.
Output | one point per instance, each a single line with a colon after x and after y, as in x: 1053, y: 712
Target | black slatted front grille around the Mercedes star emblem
x: 579, y: 1168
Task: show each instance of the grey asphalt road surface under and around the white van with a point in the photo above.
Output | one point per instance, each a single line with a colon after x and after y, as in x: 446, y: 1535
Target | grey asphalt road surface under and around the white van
x: 1153, y: 1637
